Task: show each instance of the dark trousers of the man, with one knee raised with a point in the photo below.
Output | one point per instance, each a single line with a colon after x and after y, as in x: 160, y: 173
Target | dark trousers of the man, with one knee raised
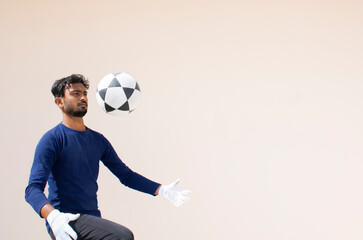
x: 90, y: 227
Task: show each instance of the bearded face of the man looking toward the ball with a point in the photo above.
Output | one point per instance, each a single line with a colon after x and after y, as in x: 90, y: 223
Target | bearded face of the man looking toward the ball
x: 75, y: 100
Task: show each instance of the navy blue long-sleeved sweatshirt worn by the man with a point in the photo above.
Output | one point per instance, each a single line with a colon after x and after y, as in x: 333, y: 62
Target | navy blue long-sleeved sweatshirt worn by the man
x: 69, y: 160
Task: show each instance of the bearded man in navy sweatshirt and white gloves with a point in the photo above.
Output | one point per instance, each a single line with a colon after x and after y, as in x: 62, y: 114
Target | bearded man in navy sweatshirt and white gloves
x: 67, y: 157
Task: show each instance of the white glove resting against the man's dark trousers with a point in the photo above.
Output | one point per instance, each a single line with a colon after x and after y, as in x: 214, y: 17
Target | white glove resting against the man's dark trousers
x: 59, y: 224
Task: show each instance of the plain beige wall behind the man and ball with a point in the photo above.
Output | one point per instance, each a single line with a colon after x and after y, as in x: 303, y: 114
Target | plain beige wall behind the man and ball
x: 255, y: 105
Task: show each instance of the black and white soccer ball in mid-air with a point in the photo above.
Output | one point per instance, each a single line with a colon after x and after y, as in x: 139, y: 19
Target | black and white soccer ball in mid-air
x: 118, y: 93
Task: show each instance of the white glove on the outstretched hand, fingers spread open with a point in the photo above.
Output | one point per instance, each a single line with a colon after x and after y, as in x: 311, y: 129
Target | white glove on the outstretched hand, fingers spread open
x: 175, y: 195
